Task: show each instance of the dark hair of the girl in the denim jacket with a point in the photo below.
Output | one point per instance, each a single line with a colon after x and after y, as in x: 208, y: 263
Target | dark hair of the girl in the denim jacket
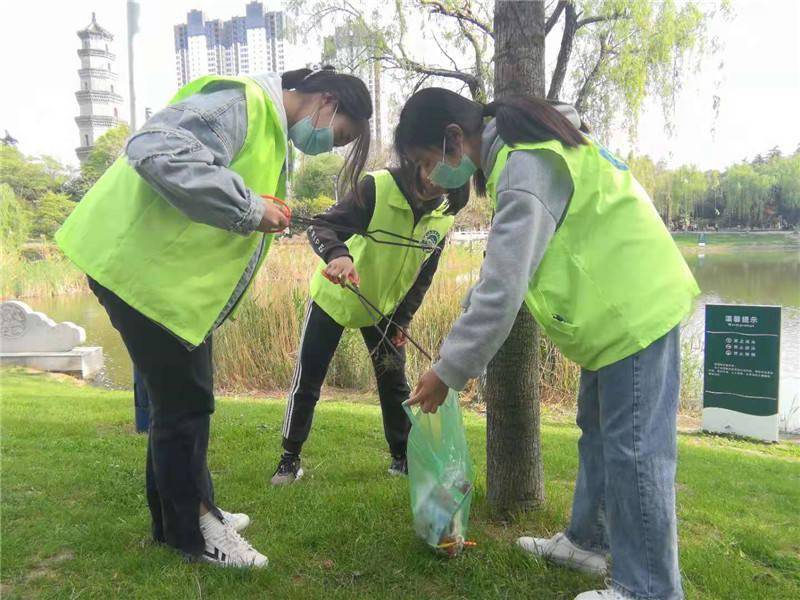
x: 354, y: 101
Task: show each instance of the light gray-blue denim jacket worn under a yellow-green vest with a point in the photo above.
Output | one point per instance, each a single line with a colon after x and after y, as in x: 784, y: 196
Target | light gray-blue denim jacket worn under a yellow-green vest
x: 184, y: 151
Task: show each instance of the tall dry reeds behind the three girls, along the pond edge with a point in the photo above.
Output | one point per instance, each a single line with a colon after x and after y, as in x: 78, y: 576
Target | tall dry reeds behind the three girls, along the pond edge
x: 258, y: 350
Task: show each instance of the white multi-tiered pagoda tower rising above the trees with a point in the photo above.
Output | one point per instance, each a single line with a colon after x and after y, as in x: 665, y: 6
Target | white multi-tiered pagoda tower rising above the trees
x: 98, y: 98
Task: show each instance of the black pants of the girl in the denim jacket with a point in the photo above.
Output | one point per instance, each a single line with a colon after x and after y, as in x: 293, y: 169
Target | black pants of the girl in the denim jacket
x: 180, y: 385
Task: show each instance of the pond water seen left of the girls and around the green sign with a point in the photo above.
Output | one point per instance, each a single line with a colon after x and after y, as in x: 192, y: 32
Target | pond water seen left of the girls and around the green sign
x: 741, y: 273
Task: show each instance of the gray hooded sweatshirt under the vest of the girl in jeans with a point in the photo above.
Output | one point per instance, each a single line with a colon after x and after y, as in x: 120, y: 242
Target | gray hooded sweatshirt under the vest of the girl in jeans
x: 533, y: 193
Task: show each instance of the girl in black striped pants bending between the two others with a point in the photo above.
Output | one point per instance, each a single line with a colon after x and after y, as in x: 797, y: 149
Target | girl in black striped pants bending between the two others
x: 393, y: 278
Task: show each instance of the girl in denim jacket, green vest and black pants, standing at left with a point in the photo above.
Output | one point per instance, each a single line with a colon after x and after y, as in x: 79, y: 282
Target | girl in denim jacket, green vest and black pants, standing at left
x: 171, y: 237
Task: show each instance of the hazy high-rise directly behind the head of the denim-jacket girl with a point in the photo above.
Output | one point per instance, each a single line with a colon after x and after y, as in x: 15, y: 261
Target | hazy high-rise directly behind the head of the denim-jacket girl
x: 349, y: 50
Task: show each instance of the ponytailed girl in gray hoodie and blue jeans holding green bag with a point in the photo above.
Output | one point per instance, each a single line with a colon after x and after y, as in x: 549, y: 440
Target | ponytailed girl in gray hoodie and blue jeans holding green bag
x: 577, y: 239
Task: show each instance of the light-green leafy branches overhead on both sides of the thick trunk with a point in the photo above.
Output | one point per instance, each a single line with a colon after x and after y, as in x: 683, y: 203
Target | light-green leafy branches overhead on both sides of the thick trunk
x: 612, y: 54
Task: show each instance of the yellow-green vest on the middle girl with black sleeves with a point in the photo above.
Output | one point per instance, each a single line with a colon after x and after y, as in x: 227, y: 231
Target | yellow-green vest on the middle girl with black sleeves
x: 387, y: 272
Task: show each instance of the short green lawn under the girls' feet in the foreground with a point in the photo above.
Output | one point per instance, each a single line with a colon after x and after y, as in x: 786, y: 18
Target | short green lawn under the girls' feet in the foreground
x: 74, y: 521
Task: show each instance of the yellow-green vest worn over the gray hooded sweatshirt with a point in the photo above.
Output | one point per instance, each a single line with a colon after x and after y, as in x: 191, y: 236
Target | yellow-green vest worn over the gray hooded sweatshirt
x: 612, y: 280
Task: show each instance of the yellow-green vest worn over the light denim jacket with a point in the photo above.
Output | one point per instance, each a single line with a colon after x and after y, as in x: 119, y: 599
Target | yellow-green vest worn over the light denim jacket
x: 175, y: 271
